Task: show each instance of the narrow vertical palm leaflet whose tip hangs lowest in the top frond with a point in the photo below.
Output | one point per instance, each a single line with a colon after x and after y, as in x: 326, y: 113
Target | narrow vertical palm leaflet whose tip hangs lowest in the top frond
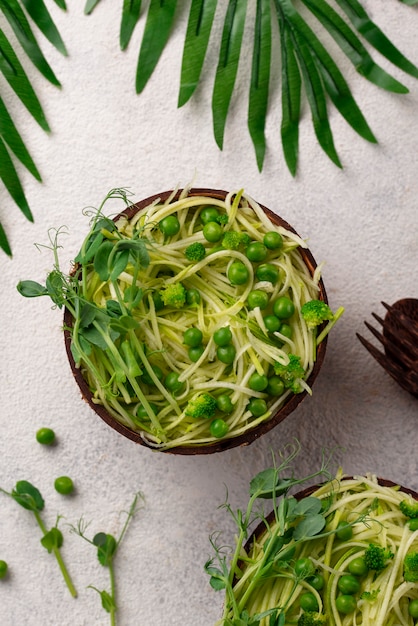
x: 291, y: 97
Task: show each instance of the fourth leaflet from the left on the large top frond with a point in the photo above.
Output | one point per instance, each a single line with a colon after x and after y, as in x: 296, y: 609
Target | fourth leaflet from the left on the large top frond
x: 227, y: 68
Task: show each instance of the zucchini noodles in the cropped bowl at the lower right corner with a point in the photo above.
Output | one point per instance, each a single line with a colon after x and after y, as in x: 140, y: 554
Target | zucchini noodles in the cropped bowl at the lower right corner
x: 372, y: 511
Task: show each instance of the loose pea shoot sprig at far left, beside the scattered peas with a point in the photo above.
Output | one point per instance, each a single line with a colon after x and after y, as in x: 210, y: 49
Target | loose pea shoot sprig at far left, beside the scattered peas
x: 30, y: 498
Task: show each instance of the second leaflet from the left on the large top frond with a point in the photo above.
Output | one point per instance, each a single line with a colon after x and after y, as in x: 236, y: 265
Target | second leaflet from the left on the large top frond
x: 159, y: 21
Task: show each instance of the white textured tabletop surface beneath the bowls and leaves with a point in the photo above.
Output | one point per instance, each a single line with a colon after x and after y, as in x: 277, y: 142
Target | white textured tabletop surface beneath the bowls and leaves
x: 362, y: 221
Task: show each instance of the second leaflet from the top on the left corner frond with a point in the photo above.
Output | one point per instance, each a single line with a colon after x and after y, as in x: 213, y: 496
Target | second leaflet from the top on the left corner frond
x: 21, y: 27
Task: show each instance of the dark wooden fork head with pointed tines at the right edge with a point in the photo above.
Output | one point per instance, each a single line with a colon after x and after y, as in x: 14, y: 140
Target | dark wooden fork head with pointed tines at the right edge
x: 400, y: 342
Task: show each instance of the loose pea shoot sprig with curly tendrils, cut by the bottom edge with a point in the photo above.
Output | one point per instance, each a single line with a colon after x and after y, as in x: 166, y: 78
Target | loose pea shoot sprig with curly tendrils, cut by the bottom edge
x: 107, y: 546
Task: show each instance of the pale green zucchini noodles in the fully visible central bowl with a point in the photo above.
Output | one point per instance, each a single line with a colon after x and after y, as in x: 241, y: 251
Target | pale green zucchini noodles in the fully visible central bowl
x: 158, y: 335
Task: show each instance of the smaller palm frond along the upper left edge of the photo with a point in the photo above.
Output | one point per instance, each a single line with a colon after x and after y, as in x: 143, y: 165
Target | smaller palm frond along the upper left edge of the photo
x: 19, y: 16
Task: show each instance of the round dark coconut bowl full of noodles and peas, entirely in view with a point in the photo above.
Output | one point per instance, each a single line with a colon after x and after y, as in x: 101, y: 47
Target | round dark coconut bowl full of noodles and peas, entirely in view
x: 190, y: 319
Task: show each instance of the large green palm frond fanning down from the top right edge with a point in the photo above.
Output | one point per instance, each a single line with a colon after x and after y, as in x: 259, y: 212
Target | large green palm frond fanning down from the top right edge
x: 305, y: 64
